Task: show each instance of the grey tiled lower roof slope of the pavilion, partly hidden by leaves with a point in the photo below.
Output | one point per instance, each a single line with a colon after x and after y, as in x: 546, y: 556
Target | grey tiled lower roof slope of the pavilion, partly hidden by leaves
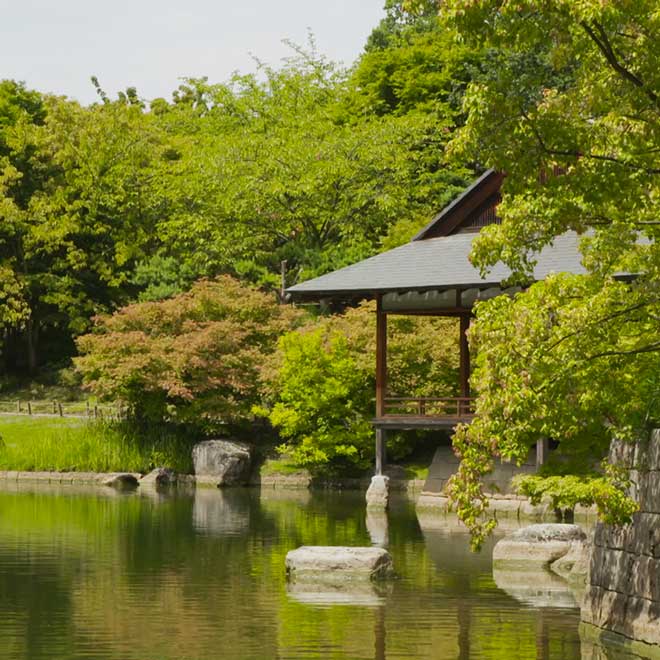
x: 433, y: 264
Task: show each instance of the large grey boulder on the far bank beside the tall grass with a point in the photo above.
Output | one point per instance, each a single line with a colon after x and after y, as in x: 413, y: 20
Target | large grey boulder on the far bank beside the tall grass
x: 222, y: 462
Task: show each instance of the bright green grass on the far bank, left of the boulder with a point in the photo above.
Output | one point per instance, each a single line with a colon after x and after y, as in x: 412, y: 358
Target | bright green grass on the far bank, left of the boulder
x: 61, y: 445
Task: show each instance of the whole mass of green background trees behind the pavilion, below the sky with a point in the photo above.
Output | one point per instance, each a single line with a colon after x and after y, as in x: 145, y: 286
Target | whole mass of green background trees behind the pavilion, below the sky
x: 130, y: 200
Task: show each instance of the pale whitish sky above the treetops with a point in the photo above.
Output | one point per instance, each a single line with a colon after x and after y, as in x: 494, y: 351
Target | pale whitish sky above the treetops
x: 56, y: 45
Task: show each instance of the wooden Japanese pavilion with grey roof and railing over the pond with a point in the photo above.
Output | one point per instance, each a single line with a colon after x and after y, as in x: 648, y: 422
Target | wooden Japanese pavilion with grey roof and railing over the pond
x: 432, y: 275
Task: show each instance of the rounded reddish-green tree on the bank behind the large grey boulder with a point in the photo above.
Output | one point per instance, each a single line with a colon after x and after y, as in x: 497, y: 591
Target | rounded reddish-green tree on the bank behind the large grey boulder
x: 196, y: 358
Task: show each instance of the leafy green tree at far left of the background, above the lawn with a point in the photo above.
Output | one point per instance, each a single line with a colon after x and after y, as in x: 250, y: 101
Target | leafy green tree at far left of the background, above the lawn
x: 78, y: 206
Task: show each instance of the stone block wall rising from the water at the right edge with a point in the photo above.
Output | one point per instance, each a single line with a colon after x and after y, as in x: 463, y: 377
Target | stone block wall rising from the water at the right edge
x: 622, y: 601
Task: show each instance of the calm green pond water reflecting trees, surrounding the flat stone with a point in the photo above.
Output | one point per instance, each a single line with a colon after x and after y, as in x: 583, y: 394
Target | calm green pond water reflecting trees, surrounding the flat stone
x: 96, y: 574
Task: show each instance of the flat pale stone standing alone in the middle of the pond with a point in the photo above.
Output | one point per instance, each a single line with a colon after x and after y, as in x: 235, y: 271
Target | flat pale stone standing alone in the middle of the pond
x: 339, y: 563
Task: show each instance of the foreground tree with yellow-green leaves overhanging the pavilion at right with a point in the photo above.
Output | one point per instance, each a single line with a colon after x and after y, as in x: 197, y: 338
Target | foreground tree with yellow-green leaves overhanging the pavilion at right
x: 572, y: 117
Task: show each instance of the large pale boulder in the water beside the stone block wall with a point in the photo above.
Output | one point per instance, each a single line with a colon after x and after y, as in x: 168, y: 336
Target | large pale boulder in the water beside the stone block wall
x: 536, y: 546
